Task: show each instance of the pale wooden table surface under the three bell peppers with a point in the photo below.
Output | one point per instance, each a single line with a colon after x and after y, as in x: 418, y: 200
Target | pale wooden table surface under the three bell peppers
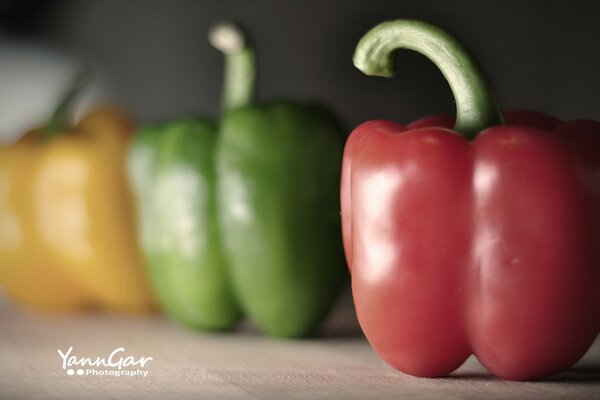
x: 336, y: 364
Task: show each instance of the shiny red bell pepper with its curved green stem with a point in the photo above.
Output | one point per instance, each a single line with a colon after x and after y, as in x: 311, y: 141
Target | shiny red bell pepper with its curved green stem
x: 482, y: 239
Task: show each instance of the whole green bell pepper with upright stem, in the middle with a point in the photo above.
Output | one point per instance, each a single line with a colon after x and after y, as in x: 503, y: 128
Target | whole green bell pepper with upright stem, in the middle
x: 242, y: 217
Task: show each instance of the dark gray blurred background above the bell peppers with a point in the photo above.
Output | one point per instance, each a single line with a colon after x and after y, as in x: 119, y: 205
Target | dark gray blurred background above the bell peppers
x: 541, y: 55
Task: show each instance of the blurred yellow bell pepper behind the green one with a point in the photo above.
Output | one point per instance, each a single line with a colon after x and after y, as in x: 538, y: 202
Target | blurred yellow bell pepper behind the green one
x: 67, y: 238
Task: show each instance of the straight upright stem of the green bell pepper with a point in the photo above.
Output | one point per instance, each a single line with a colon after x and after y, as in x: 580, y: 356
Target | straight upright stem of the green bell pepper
x: 240, y: 64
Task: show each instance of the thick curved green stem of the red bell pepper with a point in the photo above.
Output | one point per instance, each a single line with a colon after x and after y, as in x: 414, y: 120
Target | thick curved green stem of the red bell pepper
x: 476, y: 105
